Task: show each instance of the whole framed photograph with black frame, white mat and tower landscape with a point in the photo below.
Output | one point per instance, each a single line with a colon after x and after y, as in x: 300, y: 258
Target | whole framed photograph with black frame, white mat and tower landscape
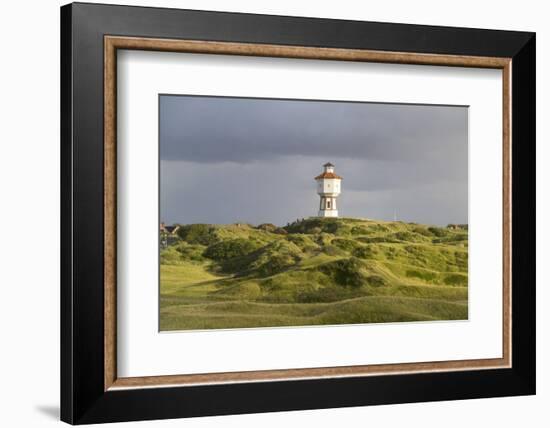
x: 266, y: 213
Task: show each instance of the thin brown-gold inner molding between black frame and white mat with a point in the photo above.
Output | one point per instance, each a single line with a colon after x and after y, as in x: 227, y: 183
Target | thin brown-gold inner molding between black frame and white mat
x: 113, y: 43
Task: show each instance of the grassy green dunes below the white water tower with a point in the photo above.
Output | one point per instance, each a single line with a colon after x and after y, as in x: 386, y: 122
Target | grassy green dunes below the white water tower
x: 313, y: 272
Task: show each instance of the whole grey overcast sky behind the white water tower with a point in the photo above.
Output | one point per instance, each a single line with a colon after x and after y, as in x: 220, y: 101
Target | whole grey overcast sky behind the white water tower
x: 226, y: 160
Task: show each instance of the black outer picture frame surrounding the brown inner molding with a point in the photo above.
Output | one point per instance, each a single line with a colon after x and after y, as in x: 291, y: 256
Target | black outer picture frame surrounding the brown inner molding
x: 83, y: 398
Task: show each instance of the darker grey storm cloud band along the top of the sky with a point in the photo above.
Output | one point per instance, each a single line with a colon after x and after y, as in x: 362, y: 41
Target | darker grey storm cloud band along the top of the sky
x: 212, y: 129
